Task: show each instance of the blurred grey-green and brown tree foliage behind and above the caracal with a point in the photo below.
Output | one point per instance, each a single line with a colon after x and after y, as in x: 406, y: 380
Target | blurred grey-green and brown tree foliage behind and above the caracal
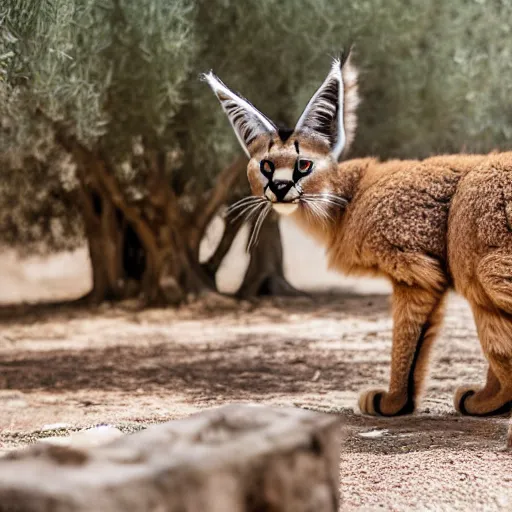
x: 435, y: 77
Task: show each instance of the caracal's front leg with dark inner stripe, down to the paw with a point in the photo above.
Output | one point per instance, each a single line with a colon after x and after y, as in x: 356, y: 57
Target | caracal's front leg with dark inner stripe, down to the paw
x: 417, y: 314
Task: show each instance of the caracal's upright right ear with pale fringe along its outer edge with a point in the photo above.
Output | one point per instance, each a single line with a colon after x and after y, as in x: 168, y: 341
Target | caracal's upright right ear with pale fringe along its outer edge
x: 331, y: 112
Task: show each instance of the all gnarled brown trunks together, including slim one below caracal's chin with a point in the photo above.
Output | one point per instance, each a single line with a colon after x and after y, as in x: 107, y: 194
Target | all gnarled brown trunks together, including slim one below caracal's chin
x: 150, y: 249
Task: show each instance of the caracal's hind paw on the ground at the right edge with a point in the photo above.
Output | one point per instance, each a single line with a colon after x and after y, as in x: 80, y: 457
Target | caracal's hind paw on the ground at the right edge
x: 474, y: 401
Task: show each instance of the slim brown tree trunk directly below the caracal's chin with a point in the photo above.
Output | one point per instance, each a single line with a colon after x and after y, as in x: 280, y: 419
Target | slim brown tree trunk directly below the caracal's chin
x: 265, y: 273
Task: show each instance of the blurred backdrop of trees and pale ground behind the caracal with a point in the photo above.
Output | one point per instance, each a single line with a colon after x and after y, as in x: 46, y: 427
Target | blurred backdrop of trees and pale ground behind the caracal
x: 117, y: 162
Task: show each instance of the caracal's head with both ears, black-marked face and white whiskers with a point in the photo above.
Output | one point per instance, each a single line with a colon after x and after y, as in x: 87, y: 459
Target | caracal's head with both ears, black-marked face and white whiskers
x: 294, y: 170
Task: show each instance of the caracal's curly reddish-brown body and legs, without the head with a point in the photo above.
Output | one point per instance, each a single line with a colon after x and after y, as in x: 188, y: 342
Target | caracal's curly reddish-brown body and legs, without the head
x: 429, y: 226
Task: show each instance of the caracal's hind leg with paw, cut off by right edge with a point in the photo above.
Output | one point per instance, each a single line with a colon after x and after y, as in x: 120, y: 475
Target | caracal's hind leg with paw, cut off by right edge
x: 492, y: 309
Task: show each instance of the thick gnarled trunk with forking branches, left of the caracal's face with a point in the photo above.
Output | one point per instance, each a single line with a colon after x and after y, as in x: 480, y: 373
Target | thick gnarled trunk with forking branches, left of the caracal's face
x: 141, y: 249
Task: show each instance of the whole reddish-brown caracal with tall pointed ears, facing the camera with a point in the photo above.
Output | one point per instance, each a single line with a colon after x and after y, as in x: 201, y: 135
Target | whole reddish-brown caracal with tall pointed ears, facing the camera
x: 428, y: 226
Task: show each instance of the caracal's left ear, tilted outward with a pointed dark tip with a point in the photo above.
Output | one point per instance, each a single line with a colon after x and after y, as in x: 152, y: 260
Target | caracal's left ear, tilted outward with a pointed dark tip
x: 247, y: 121
